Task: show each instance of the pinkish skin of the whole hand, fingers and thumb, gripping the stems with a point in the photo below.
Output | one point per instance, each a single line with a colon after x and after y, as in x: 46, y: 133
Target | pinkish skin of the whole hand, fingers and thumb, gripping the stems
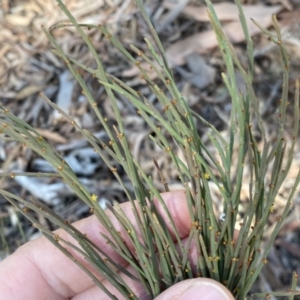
x: 38, y: 270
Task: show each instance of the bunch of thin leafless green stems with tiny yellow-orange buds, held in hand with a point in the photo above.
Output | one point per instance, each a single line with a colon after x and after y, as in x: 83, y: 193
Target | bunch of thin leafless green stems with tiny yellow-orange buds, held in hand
x: 236, y: 262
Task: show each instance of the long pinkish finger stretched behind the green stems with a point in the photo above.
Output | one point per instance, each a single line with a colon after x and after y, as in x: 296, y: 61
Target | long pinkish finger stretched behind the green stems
x: 53, y: 275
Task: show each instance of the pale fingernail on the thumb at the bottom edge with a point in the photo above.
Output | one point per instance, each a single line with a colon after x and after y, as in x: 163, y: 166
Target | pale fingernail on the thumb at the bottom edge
x: 206, y: 290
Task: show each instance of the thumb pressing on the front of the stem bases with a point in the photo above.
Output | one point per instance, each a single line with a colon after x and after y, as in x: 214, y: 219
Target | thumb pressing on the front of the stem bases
x: 196, y: 289
